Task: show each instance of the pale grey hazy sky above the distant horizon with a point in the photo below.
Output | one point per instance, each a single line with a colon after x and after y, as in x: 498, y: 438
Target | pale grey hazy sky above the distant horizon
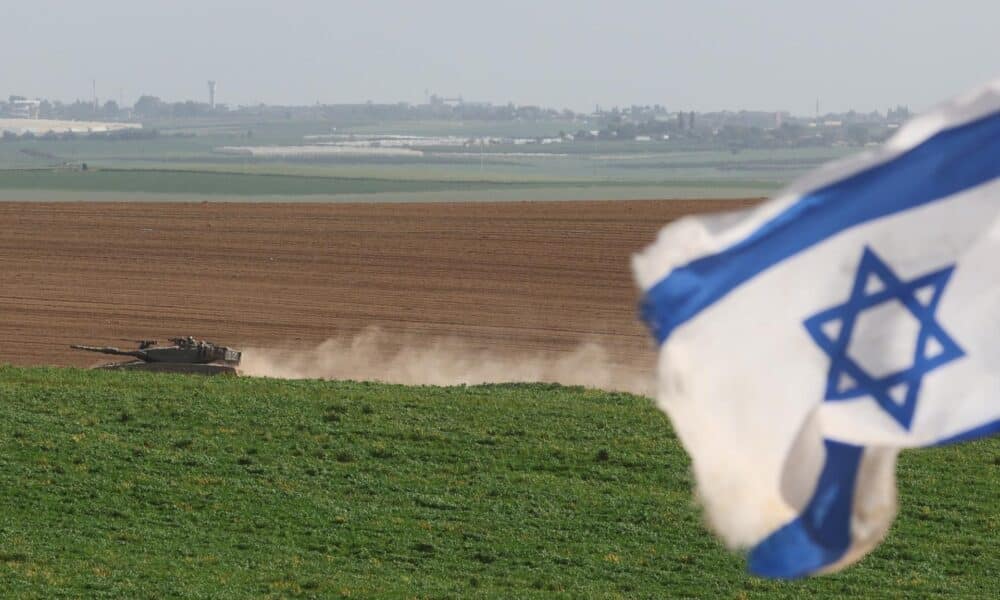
x: 700, y: 55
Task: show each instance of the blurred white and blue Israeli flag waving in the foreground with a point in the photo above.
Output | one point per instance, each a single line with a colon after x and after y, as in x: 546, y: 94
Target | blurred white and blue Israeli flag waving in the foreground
x: 805, y: 342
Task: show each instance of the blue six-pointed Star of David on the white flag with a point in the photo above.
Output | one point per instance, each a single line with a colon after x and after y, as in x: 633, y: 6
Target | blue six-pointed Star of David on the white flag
x: 832, y: 328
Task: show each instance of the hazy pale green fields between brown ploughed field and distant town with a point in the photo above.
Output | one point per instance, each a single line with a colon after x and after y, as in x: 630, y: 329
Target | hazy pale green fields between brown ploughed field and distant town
x: 185, y: 161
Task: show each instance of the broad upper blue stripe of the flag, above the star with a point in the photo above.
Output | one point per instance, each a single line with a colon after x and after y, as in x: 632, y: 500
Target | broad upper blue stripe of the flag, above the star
x: 949, y: 162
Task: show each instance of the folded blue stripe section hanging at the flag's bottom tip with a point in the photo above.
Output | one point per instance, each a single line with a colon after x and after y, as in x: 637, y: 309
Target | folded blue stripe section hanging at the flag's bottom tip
x: 820, y: 535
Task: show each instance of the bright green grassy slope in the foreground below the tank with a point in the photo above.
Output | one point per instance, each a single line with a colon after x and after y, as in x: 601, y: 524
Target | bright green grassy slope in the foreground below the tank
x: 136, y: 485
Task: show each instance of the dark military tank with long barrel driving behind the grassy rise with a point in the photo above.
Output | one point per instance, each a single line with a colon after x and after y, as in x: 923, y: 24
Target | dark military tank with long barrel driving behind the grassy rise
x: 184, y: 355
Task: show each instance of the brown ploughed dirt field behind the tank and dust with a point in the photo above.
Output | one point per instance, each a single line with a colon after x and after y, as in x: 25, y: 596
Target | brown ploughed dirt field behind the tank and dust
x: 509, y: 277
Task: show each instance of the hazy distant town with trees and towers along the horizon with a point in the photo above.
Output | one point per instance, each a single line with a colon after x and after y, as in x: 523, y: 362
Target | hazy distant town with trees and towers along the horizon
x: 22, y: 117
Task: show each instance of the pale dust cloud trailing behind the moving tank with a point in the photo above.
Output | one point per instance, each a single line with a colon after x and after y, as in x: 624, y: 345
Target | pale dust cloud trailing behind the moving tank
x: 375, y: 355
